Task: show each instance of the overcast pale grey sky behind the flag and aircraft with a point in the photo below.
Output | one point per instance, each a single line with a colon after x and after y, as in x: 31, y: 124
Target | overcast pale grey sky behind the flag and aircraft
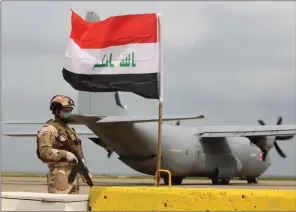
x: 232, y: 61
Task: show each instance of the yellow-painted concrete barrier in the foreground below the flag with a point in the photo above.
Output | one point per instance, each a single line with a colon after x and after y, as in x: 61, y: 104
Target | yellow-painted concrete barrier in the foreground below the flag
x: 190, y: 199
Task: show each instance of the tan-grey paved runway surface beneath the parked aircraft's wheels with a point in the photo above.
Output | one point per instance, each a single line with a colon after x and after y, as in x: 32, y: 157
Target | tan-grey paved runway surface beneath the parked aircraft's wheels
x: 38, y: 184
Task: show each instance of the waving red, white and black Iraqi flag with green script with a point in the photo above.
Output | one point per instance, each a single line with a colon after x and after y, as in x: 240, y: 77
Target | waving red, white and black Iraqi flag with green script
x: 120, y: 53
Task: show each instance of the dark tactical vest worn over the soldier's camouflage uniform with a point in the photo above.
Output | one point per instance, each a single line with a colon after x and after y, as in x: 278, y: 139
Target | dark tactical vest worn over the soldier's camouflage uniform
x: 65, y: 140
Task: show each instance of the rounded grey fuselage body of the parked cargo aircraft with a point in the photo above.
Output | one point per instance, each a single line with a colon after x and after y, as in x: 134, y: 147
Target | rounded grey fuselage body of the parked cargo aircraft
x: 184, y: 153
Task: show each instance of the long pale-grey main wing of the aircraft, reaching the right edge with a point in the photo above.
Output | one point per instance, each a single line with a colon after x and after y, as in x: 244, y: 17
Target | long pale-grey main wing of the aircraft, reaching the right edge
x: 246, y: 131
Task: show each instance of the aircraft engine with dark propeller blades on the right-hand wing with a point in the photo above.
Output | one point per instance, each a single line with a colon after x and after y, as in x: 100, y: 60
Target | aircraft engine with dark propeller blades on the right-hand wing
x: 265, y: 143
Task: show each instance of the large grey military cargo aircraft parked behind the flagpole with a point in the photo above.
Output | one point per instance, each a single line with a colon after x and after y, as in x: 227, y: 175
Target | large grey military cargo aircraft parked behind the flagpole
x: 217, y: 152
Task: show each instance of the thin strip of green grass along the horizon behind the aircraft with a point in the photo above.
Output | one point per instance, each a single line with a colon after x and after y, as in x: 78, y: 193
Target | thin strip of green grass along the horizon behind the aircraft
x: 106, y: 176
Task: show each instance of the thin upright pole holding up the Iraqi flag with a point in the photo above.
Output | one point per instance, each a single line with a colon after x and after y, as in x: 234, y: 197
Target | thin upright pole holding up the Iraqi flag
x: 160, y: 100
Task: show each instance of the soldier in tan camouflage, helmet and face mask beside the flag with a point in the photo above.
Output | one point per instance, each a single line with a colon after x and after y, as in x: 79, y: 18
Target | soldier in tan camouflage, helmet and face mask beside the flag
x: 52, y: 147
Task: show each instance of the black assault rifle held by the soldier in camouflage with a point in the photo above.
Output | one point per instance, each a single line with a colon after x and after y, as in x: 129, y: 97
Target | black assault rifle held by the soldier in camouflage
x: 81, y: 168
